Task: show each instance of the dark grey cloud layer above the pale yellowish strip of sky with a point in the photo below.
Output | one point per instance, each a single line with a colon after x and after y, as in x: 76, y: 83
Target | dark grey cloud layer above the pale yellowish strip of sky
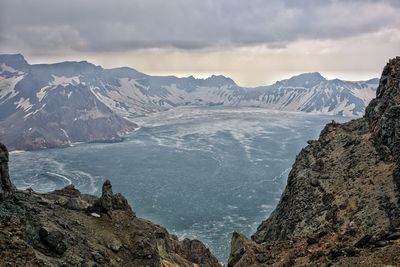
x: 43, y: 26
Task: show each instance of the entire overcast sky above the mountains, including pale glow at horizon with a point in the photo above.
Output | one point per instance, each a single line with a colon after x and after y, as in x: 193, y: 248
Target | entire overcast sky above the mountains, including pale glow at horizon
x: 255, y: 42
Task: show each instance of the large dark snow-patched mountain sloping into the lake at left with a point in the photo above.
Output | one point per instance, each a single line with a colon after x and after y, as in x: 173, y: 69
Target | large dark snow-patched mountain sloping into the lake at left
x: 47, y: 105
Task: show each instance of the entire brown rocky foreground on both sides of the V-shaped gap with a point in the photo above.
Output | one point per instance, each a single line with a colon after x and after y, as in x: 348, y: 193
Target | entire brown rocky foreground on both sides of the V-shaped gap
x: 341, y: 207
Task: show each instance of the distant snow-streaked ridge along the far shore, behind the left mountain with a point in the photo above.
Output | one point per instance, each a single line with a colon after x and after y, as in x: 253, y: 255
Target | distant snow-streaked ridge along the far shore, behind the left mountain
x: 133, y: 96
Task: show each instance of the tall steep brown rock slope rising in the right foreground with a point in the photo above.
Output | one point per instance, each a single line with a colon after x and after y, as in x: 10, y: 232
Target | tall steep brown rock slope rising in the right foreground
x: 341, y: 204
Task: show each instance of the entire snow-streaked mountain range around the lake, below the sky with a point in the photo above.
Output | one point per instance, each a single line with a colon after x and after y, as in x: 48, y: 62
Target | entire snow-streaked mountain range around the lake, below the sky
x: 48, y: 105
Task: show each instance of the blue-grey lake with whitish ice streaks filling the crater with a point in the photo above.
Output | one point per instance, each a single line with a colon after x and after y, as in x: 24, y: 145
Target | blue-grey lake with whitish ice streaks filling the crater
x: 200, y: 172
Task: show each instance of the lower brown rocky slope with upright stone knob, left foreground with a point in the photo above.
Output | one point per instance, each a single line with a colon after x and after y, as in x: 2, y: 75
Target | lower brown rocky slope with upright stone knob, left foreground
x: 67, y: 228
